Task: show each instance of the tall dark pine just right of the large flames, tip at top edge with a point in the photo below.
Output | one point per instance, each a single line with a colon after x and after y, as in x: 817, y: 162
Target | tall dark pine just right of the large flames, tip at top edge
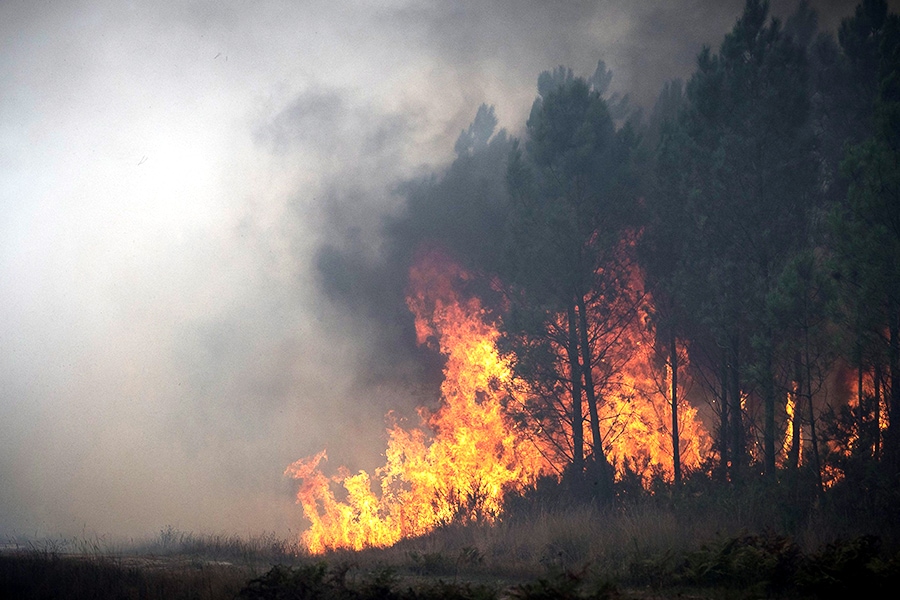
x: 748, y: 124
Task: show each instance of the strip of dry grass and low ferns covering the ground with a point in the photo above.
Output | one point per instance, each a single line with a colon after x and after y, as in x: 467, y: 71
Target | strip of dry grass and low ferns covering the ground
x: 654, y: 547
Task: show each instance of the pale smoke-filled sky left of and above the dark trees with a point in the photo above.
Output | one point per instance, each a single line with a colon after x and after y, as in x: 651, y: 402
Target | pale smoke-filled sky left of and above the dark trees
x: 168, y: 171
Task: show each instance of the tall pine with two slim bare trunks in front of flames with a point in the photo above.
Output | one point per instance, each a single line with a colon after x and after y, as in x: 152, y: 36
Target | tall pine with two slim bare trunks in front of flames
x: 571, y: 191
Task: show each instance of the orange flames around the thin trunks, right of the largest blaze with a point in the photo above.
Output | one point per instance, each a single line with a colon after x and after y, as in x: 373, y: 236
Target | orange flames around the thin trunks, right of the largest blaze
x: 633, y: 384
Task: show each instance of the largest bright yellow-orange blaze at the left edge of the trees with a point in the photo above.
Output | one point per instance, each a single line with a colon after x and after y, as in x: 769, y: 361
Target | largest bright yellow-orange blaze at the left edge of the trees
x: 458, y: 465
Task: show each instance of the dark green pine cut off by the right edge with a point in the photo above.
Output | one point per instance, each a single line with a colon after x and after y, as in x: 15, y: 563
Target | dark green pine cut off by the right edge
x: 866, y: 224
